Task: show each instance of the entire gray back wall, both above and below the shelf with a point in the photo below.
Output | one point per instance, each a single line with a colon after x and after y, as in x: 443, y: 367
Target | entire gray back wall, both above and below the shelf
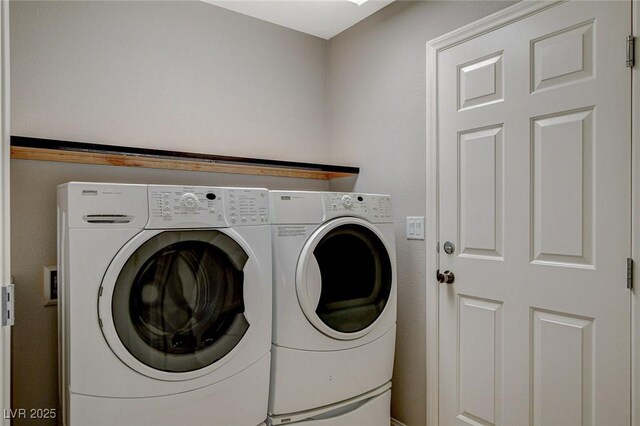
x: 178, y: 75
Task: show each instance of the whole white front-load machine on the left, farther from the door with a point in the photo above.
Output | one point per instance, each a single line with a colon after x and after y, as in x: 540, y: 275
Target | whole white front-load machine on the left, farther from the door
x: 165, y: 304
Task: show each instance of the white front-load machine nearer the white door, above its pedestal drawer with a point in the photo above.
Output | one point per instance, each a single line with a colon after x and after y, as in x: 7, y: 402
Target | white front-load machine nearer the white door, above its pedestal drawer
x: 334, y: 300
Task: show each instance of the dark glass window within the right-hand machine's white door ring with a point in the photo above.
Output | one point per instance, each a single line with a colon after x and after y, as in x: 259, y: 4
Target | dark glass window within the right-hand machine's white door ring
x: 356, y: 278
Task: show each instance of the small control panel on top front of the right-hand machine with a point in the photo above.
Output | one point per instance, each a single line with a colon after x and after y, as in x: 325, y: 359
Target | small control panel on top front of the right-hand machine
x: 375, y: 208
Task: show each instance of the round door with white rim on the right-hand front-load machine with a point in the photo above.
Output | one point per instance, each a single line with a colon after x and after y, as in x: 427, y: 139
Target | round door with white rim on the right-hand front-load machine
x: 344, y: 278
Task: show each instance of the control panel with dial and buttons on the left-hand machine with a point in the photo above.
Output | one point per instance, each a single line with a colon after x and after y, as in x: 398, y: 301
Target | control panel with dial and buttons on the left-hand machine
x: 201, y: 206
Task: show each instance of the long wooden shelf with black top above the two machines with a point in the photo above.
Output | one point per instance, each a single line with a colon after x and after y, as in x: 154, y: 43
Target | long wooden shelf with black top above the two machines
x: 26, y: 148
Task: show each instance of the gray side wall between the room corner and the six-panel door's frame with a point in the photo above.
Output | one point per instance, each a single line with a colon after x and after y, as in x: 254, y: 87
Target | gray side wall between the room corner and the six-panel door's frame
x: 377, y: 119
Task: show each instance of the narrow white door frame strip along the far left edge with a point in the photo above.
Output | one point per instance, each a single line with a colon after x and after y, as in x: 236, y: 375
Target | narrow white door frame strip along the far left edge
x: 5, y: 259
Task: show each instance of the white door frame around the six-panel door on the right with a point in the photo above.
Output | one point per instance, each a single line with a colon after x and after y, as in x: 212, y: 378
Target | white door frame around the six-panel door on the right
x: 502, y: 18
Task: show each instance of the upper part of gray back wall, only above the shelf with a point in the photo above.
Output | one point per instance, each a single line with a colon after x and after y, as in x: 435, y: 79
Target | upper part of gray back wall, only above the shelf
x: 169, y: 74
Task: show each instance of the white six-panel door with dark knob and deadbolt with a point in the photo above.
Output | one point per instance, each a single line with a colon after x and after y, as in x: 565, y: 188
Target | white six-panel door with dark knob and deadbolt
x: 534, y: 191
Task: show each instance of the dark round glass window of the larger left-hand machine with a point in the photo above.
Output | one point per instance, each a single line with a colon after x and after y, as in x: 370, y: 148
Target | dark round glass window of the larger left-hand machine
x: 178, y: 302
